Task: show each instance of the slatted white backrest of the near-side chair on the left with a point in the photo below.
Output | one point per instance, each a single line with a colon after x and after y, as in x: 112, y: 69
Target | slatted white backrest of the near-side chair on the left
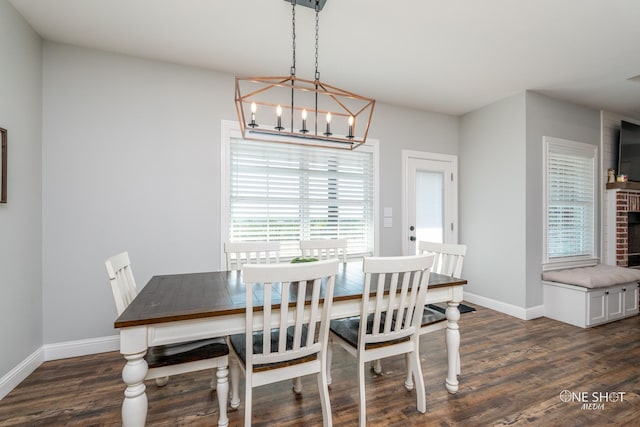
x: 297, y: 300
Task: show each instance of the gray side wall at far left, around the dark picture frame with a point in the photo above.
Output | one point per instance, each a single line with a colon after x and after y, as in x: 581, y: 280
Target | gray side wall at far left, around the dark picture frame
x: 20, y: 218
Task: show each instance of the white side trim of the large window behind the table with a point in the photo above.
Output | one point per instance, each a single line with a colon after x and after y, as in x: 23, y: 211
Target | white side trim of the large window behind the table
x: 231, y: 129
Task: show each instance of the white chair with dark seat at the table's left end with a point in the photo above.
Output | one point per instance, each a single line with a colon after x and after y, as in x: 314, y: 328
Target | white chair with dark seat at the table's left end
x: 173, y: 359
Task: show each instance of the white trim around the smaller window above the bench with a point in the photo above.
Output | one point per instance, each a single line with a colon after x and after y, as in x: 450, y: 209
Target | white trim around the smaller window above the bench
x: 590, y: 150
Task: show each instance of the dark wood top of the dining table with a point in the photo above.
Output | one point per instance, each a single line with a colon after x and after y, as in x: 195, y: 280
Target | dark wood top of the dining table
x: 177, y: 297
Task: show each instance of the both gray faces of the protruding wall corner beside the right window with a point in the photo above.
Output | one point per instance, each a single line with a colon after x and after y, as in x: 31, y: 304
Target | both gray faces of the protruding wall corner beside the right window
x: 501, y: 190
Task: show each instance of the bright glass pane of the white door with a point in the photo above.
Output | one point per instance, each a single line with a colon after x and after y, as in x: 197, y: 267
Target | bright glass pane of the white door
x: 429, y: 207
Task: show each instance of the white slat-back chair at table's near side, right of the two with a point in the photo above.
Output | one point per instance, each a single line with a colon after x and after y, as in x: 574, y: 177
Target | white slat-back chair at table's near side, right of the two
x: 393, y: 297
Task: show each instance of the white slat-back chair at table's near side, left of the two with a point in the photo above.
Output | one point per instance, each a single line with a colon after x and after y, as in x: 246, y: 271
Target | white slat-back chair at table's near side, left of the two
x: 287, y: 336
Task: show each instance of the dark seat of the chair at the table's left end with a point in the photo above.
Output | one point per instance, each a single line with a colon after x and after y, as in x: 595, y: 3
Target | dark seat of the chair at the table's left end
x: 173, y: 354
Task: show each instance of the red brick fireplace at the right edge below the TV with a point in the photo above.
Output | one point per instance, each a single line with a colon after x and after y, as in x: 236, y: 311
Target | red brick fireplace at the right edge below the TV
x: 628, y: 228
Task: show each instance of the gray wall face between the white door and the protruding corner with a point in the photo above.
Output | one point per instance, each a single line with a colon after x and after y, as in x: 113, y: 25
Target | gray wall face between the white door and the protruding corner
x: 492, y: 200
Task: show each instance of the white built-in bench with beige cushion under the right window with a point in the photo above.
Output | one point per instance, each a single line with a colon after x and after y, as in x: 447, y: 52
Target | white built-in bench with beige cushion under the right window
x: 589, y: 296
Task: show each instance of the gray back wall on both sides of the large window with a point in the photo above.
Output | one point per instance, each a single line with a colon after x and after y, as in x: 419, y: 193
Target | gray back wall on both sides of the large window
x: 131, y: 152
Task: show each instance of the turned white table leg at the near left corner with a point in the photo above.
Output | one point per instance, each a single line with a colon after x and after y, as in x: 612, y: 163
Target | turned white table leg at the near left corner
x: 134, y: 405
